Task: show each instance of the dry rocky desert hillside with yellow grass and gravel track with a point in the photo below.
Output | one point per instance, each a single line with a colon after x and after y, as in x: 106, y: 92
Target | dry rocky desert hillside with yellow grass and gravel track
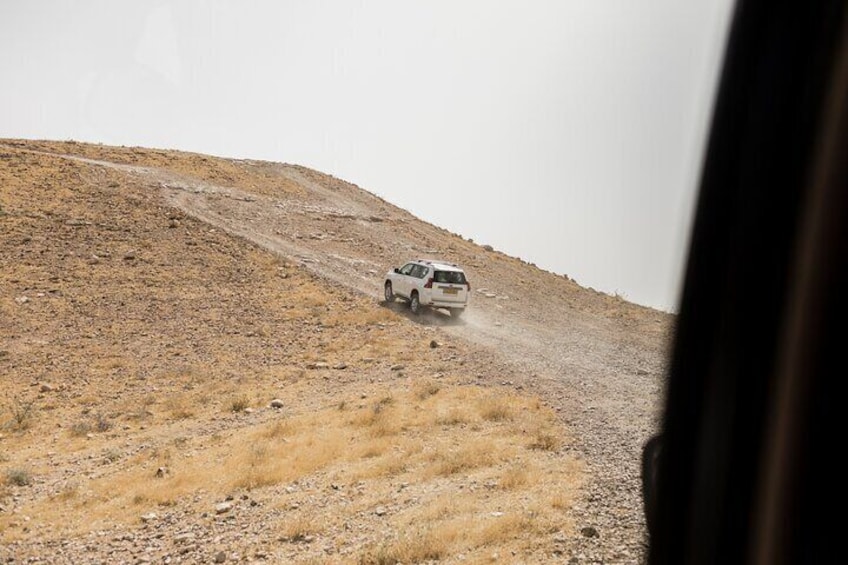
x: 155, y: 304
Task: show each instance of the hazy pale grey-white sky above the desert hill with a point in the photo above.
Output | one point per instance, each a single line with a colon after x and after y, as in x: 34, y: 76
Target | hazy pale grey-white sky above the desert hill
x: 566, y: 132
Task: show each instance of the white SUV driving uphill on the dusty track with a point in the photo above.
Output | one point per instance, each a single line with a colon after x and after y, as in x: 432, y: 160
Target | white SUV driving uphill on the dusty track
x: 429, y: 283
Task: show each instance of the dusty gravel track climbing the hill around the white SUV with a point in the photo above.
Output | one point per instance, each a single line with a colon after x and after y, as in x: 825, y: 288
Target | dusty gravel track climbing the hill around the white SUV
x: 603, y: 373
